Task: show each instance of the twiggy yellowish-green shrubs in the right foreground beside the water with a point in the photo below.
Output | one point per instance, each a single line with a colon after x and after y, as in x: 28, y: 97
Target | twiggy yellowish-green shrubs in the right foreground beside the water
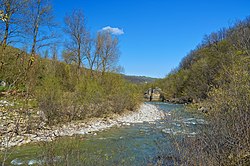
x: 226, y: 140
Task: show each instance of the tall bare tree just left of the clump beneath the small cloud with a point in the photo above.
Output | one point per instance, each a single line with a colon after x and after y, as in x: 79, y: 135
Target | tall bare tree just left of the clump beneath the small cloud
x: 78, y: 42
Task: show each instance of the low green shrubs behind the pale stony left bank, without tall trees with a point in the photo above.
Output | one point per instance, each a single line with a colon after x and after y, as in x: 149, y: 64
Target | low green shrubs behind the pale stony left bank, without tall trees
x: 61, y: 94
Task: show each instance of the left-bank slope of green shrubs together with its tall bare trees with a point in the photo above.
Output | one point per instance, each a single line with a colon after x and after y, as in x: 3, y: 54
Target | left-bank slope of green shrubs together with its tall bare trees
x: 83, y: 83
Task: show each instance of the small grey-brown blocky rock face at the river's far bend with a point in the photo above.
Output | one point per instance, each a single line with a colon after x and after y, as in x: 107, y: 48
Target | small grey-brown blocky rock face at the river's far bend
x: 154, y: 94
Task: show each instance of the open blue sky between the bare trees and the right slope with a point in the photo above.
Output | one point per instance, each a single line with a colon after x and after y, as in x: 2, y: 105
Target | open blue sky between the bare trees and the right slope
x: 155, y: 35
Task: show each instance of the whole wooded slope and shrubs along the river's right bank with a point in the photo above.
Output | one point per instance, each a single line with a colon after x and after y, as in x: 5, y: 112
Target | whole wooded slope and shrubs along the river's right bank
x: 216, y: 75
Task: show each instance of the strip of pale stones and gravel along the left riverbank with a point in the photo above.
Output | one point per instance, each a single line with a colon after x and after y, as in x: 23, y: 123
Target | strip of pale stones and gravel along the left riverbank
x: 146, y: 113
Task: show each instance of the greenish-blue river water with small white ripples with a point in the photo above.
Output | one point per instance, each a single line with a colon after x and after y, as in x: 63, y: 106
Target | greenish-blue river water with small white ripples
x: 136, y: 144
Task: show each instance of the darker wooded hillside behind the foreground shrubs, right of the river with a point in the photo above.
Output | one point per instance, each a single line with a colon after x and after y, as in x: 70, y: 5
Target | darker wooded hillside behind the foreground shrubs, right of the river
x: 200, y: 71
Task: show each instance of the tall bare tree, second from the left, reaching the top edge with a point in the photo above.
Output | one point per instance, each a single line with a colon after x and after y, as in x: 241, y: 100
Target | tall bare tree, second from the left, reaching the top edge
x: 39, y: 23
